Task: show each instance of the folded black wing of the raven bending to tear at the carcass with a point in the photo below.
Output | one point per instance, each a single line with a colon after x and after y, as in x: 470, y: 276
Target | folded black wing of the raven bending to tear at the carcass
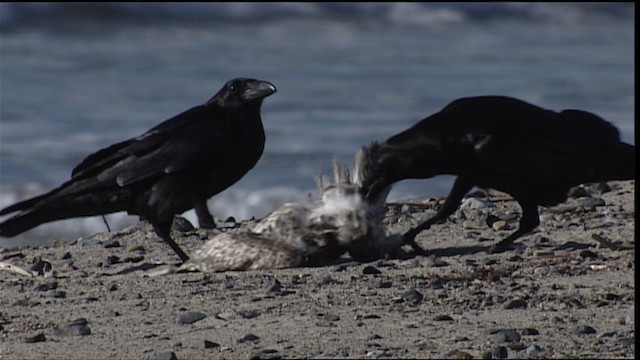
x: 548, y: 147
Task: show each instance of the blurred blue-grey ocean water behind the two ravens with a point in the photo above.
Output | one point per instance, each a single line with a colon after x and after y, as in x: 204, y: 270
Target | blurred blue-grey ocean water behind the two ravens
x: 77, y: 77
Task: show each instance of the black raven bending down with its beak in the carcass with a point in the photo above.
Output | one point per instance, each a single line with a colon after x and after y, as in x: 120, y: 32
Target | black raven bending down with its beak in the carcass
x: 533, y: 154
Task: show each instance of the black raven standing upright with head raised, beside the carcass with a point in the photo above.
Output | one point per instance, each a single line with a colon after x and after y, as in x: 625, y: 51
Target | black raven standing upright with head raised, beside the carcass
x: 174, y: 167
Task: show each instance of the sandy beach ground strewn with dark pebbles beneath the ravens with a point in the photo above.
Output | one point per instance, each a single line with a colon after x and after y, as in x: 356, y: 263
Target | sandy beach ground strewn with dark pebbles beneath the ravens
x: 566, y: 291
